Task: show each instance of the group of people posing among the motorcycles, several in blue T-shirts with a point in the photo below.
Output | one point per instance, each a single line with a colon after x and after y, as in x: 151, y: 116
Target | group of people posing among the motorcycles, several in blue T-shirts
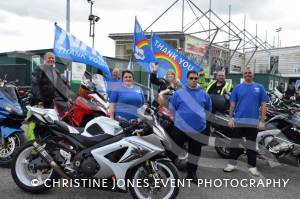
x: 190, y: 105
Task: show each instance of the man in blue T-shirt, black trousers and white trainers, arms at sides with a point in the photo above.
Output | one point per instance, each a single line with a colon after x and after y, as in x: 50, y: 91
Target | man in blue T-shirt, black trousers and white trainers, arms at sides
x: 247, y: 100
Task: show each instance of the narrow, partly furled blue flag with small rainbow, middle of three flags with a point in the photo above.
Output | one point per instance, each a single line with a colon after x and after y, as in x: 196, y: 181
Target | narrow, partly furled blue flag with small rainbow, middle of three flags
x: 141, y: 49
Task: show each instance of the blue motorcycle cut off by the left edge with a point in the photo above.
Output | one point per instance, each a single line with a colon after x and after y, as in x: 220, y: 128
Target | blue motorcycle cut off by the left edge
x: 12, y: 115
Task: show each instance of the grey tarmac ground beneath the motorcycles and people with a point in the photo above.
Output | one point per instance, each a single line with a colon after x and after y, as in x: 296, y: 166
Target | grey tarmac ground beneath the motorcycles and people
x: 210, y: 171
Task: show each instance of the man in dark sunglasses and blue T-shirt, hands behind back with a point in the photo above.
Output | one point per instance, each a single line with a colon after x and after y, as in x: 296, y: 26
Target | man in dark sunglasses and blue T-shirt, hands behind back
x: 190, y: 106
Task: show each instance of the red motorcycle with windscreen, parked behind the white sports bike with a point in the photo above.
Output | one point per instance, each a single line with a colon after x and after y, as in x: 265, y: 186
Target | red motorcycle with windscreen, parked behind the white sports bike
x: 92, y: 102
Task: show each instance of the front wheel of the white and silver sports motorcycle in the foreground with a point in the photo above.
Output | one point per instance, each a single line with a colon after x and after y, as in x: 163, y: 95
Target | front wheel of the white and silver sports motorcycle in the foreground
x: 165, y: 171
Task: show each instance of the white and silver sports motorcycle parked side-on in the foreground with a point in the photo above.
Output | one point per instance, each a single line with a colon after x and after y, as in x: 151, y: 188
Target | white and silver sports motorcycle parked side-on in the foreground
x: 100, y: 150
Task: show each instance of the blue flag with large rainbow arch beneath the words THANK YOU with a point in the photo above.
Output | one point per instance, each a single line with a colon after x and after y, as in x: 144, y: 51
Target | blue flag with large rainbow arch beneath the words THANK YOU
x: 169, y: 58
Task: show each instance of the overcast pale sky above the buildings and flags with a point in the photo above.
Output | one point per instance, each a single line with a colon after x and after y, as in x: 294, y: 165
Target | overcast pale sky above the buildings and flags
x: 29, y: 24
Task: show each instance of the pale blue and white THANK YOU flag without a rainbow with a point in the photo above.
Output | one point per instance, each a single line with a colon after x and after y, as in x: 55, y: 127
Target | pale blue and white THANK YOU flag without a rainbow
x: 69, y: 47
